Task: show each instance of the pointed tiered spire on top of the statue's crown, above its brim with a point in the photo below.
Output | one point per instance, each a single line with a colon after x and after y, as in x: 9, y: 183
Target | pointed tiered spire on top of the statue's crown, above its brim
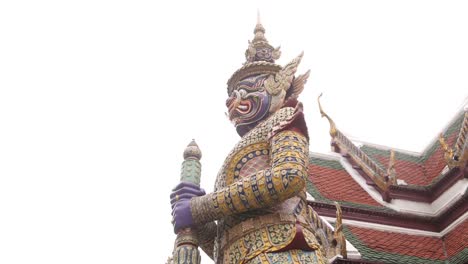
x: 259, y: 49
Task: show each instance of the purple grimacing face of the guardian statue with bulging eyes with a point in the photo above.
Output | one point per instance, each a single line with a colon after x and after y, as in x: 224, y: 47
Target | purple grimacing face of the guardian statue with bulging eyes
x: 249, y: 103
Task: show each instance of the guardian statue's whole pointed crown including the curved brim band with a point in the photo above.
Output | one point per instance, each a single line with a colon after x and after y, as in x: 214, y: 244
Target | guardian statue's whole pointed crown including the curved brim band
x: 260, y: 58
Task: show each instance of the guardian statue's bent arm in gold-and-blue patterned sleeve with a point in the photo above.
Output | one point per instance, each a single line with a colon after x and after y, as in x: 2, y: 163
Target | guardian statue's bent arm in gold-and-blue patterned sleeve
x: 285, y: 178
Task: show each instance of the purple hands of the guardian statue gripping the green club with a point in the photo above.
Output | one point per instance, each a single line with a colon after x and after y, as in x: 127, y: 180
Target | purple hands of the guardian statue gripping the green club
x: 180, y: 203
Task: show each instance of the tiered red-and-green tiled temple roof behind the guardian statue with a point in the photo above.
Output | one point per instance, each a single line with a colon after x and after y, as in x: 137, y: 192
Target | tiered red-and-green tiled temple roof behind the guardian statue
x: 397, y: 206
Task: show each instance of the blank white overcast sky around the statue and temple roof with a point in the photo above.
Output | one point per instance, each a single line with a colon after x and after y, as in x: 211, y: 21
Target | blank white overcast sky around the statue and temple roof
x: 98, y: 100
